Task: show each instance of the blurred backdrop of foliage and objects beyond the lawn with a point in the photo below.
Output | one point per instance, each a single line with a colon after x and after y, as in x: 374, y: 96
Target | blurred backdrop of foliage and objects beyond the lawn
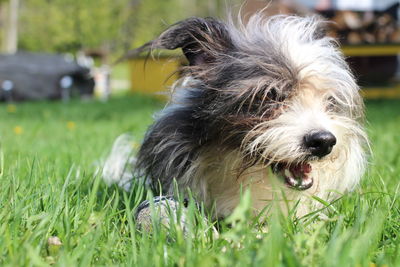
x: 63, y: 49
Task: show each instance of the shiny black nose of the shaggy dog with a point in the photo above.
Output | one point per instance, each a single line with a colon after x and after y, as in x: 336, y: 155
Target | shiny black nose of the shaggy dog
x: 319, y: 143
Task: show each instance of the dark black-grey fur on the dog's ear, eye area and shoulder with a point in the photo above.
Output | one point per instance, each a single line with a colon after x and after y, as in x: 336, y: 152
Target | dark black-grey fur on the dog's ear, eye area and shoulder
x: 232, y: 89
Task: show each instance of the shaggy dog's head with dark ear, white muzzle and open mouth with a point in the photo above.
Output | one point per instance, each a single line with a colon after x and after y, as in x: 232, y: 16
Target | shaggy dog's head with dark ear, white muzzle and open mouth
x: 279, y: 91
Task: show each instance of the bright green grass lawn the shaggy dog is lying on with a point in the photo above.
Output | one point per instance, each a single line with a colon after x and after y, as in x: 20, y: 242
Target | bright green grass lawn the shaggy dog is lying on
x: 50, y: 154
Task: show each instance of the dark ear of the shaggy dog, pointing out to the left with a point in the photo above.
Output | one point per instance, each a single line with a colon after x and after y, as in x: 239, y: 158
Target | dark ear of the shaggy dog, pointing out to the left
x: 201, y: 40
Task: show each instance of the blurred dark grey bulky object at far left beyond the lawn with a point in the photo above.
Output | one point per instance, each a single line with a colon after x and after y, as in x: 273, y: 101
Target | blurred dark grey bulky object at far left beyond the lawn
x: 39, y: 76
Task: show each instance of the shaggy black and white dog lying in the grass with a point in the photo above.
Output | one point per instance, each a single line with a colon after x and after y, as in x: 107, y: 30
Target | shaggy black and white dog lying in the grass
x: 269, y: 106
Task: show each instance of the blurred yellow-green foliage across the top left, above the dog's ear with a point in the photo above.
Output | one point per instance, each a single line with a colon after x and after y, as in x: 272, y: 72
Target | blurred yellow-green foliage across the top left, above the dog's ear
x: 113, y: 26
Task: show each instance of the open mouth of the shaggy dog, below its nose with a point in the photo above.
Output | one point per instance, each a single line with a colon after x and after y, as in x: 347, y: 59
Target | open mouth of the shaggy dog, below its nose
x: 296, y: 176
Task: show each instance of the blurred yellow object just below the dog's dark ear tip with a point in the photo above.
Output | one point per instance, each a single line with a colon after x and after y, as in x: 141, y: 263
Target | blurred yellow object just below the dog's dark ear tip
x: 154, y: 75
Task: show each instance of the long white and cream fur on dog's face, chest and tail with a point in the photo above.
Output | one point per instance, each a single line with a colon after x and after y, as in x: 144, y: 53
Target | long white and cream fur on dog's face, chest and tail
x: 323, y: 75
